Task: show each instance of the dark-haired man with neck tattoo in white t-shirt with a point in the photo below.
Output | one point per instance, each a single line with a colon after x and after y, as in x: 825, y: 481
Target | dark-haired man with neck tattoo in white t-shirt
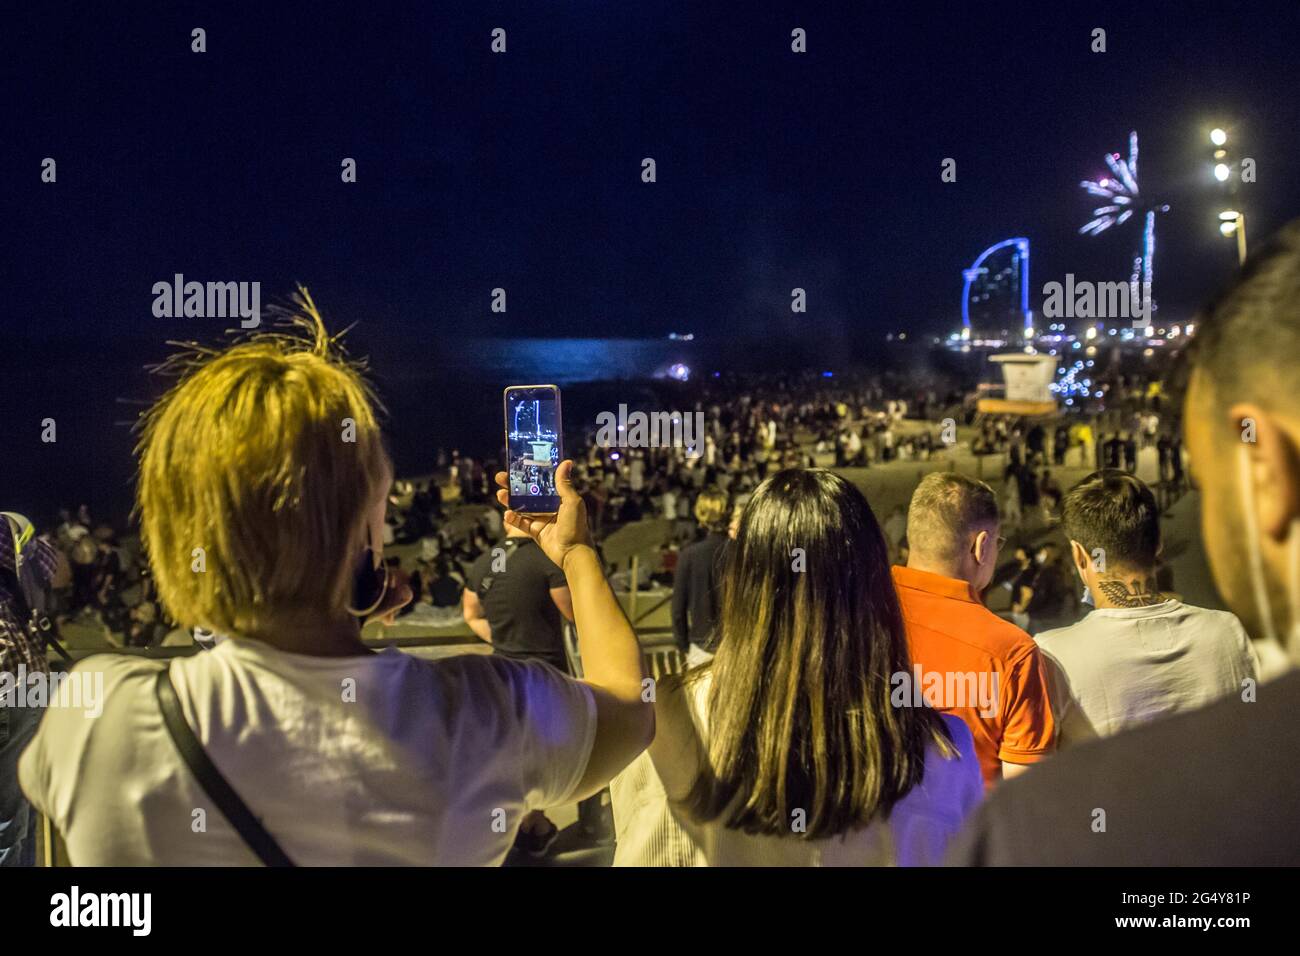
x: 1141, y: 655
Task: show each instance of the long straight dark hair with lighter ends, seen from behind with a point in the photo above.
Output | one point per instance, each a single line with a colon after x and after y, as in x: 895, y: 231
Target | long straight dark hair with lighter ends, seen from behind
x: 800, y: 716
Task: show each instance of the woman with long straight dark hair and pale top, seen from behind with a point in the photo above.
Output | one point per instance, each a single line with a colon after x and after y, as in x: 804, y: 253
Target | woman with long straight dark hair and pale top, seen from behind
x: 788, y: 749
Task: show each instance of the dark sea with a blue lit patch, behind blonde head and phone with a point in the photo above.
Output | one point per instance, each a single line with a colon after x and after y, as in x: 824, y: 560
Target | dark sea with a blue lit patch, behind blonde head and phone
x: 439, y: 393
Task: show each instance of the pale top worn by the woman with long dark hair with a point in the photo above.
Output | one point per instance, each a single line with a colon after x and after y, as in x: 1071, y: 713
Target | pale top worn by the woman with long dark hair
x: 652, y: 832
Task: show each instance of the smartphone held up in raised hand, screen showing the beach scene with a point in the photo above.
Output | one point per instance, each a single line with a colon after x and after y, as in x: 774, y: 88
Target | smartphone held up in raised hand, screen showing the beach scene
x: 534, y: 448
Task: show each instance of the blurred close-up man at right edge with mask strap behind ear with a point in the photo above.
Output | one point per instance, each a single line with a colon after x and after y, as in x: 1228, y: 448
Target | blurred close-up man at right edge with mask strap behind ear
x: 1219, y: 786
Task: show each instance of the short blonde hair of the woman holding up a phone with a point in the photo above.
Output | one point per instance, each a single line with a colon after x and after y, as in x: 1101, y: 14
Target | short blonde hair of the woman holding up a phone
x: 266, y: 456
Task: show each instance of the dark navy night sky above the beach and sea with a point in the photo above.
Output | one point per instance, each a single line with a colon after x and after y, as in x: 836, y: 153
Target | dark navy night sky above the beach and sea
x: 523, y: 170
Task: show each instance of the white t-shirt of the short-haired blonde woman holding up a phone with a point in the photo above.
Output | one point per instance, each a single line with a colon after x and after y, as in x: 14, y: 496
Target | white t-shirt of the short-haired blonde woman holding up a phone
x: 376, y: 760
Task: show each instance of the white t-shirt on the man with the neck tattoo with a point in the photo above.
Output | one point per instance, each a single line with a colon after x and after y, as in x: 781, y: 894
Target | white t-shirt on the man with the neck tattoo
x: 1124, y: 667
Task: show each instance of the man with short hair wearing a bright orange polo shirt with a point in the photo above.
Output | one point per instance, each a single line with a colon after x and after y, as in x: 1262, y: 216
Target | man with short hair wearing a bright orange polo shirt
x: 968, y: 661
